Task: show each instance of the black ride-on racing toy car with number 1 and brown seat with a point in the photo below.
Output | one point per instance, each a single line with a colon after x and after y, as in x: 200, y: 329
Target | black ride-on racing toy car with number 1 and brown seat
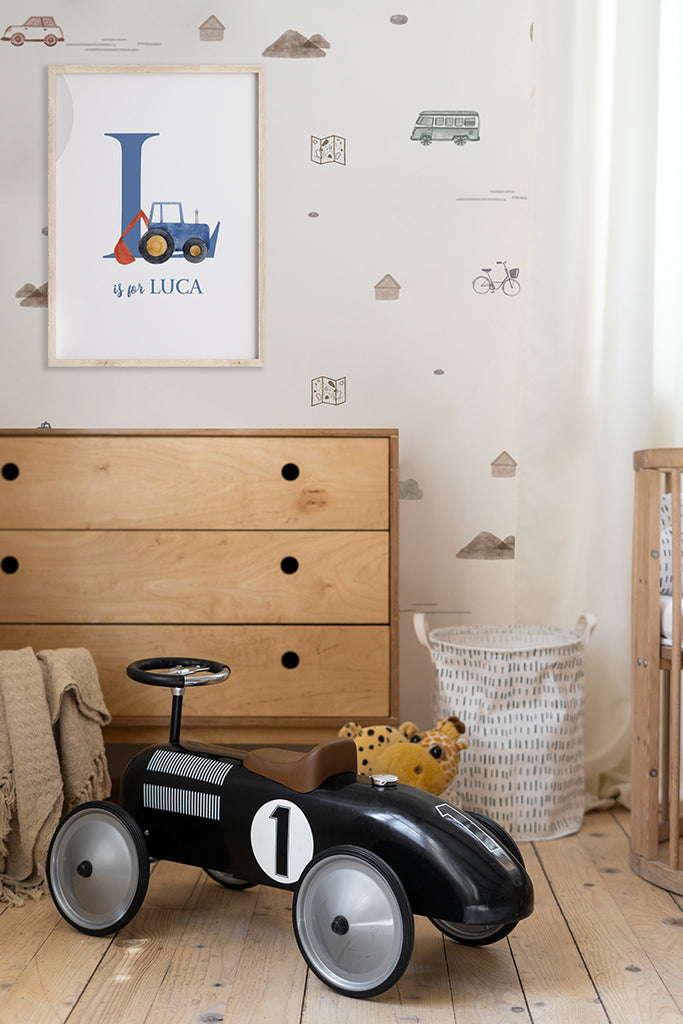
x: 361, y: 857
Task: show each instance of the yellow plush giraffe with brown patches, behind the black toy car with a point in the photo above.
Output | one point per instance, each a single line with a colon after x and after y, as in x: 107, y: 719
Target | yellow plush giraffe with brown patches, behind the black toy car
x: 430, y: 761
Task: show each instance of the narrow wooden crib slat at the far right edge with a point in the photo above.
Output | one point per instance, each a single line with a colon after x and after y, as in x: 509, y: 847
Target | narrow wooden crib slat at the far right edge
x: 675, y: 686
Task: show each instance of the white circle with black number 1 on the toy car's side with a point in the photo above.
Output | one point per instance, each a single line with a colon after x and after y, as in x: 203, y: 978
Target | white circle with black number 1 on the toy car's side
x: 282, y: 840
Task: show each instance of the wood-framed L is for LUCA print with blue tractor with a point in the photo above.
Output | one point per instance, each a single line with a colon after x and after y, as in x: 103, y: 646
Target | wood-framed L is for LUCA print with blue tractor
x: 156, y: 217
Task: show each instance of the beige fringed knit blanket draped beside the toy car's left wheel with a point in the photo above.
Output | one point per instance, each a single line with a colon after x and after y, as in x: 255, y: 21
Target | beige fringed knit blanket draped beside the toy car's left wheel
x: 52, y: 756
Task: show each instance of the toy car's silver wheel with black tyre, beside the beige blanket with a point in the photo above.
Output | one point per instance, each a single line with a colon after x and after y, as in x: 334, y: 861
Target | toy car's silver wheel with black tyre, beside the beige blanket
x: 98, y: 869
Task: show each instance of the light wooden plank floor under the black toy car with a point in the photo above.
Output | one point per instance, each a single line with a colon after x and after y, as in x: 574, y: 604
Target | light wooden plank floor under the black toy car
x: 602, y: 946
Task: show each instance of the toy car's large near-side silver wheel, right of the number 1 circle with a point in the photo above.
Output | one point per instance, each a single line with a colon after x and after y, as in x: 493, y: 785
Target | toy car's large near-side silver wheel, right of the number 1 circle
x: 353, y: 922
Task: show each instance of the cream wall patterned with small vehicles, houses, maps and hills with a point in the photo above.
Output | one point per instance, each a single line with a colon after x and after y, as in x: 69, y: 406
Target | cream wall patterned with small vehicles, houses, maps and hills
x: 441, y: 364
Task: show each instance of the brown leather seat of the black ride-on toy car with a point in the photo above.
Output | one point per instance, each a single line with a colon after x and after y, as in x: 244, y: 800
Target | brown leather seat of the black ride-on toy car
x: 304, y: 773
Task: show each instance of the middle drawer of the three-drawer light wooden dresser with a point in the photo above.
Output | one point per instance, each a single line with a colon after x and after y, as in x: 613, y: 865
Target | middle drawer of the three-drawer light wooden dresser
x: 194, y: 577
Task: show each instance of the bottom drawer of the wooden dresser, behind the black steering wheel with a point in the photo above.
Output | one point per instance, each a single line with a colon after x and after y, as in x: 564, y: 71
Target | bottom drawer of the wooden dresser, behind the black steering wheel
x: 337, y: 672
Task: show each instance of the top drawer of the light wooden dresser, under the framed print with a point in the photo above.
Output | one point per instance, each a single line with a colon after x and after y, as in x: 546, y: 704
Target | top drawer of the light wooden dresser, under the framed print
x: 57, y: 482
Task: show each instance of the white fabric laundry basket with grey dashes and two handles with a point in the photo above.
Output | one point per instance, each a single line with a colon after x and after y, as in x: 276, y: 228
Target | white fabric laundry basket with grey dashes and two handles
x: 520, y: 691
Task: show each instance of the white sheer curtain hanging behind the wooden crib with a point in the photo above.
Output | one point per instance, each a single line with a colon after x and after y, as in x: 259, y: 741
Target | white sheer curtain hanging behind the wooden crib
x: 603, y: 367
